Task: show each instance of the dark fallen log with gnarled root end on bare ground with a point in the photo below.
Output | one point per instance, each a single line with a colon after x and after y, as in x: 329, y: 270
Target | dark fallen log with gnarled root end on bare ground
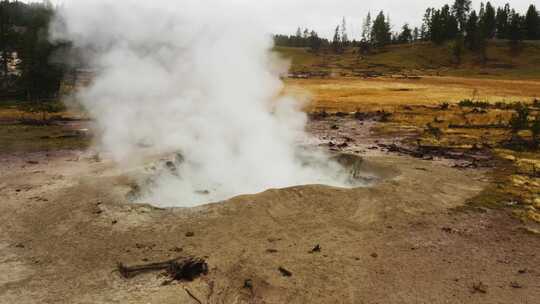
x: 178, y: 269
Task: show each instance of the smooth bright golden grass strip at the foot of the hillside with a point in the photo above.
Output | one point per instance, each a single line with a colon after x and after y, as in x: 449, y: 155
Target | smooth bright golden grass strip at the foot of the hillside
x: 349, y: 94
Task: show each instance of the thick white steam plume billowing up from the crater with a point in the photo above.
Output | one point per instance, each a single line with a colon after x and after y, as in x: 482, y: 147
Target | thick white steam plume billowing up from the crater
x: 196, y: 77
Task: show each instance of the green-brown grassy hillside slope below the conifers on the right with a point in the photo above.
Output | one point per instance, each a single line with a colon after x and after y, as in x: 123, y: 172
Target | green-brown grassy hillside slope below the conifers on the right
x: 421, y: 59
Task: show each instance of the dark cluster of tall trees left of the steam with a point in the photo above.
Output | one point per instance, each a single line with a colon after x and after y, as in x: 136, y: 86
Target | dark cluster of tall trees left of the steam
x: 27, y: 68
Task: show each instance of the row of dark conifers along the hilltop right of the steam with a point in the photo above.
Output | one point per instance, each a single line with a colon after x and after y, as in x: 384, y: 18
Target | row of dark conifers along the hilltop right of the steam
x: 458, y: 23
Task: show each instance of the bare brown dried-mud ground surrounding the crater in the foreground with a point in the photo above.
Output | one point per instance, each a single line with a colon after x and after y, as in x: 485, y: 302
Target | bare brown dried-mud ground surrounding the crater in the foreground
x: 65, y: 222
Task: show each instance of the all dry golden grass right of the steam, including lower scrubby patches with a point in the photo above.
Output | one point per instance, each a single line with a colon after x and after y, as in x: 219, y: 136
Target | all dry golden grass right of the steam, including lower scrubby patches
x: 415, y: 112
